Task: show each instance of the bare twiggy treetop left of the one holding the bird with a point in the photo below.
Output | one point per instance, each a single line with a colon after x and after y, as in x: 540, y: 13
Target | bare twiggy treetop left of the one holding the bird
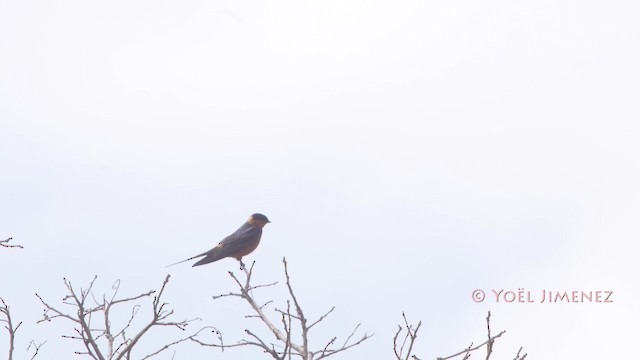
x: 93, y: 322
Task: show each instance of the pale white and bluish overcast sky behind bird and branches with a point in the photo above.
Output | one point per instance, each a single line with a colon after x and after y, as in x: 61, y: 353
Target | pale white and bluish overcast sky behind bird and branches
x: 407, y: 152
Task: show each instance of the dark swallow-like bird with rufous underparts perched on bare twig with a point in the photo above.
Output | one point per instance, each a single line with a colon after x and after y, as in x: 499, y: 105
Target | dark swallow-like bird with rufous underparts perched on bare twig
x: 242, y: 242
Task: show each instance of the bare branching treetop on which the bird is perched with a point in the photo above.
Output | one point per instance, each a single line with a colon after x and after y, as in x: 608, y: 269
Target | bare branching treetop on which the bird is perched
x: 283, y: 346
